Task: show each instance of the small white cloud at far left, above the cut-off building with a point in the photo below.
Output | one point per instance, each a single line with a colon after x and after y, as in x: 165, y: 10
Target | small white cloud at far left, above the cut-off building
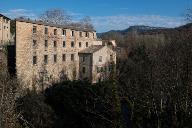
x: 15, y: 13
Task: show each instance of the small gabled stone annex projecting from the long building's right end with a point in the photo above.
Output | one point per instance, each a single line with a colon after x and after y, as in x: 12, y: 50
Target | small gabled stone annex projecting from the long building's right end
x: 96, y: 63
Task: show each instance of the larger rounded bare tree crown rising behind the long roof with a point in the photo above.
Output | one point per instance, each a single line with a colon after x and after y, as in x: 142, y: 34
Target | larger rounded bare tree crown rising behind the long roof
x: 56, y: 16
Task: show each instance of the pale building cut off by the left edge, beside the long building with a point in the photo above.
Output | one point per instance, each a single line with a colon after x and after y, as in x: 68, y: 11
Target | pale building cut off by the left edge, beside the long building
x: 4, y: 29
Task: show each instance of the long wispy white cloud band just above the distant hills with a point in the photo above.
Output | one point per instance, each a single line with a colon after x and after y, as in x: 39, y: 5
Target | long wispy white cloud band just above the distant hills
x: 106, y: 23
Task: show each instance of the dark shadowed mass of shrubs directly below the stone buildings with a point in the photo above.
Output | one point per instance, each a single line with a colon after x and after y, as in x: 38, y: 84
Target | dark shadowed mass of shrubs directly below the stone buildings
x: 72, y: 105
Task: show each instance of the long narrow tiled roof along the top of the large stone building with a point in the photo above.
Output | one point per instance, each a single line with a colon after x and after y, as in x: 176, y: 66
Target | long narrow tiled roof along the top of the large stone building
x: 54, y: 25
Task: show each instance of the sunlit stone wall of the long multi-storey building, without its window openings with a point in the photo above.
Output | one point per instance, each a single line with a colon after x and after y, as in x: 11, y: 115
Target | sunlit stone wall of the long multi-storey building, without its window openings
x: 31, y: 74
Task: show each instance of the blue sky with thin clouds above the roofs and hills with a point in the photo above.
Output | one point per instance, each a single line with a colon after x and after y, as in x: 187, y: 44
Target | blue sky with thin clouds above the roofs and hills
x: 106, y: 14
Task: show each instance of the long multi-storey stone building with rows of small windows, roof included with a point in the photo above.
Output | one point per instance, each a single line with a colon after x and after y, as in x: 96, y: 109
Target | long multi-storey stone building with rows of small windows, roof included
x: 47, y: 52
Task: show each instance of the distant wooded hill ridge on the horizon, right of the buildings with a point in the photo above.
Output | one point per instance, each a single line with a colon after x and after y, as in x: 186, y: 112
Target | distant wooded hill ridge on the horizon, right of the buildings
x: 123, y: 37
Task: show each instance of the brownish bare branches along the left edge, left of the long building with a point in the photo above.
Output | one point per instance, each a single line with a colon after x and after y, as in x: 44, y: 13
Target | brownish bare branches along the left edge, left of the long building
x: 9, y: 91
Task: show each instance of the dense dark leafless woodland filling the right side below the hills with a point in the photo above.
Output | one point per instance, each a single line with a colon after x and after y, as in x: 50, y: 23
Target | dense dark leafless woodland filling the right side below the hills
x: 156, y: 82
